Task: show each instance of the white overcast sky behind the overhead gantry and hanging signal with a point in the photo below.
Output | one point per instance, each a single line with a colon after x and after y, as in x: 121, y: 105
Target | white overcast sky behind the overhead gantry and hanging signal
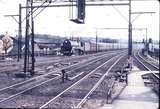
x: 55, y: 21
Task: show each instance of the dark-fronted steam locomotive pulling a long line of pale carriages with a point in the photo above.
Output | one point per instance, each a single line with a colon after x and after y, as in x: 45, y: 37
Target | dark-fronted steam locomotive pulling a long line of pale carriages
x: 77, y: 47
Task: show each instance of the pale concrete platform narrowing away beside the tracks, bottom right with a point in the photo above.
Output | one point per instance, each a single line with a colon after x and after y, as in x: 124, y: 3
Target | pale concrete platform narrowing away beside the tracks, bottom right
x: 136, y: 95
